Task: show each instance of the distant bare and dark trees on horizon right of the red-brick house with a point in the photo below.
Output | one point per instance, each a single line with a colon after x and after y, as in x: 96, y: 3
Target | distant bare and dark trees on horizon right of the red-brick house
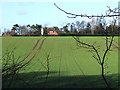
x: 95, y: 27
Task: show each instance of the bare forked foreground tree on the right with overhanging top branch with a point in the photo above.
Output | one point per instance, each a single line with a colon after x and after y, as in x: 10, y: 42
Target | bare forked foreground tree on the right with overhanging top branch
x: 100, y: 59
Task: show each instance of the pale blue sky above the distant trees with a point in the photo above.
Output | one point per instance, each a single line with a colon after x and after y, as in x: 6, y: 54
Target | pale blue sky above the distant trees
x: 44, y: 12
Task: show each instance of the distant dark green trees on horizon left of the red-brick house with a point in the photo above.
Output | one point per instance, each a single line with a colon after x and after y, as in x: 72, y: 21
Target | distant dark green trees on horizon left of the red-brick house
x: 27, y: 29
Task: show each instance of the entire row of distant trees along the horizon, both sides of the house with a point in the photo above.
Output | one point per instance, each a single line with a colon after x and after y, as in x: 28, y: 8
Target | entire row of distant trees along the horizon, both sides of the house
x: 93, y: 27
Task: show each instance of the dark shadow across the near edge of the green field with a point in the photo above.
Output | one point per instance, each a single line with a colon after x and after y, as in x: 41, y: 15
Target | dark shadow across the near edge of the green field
x: 38, y: 79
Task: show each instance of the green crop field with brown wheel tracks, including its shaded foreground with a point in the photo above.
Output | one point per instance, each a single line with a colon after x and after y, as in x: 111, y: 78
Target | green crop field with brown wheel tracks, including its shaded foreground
x: 58, y: 62
